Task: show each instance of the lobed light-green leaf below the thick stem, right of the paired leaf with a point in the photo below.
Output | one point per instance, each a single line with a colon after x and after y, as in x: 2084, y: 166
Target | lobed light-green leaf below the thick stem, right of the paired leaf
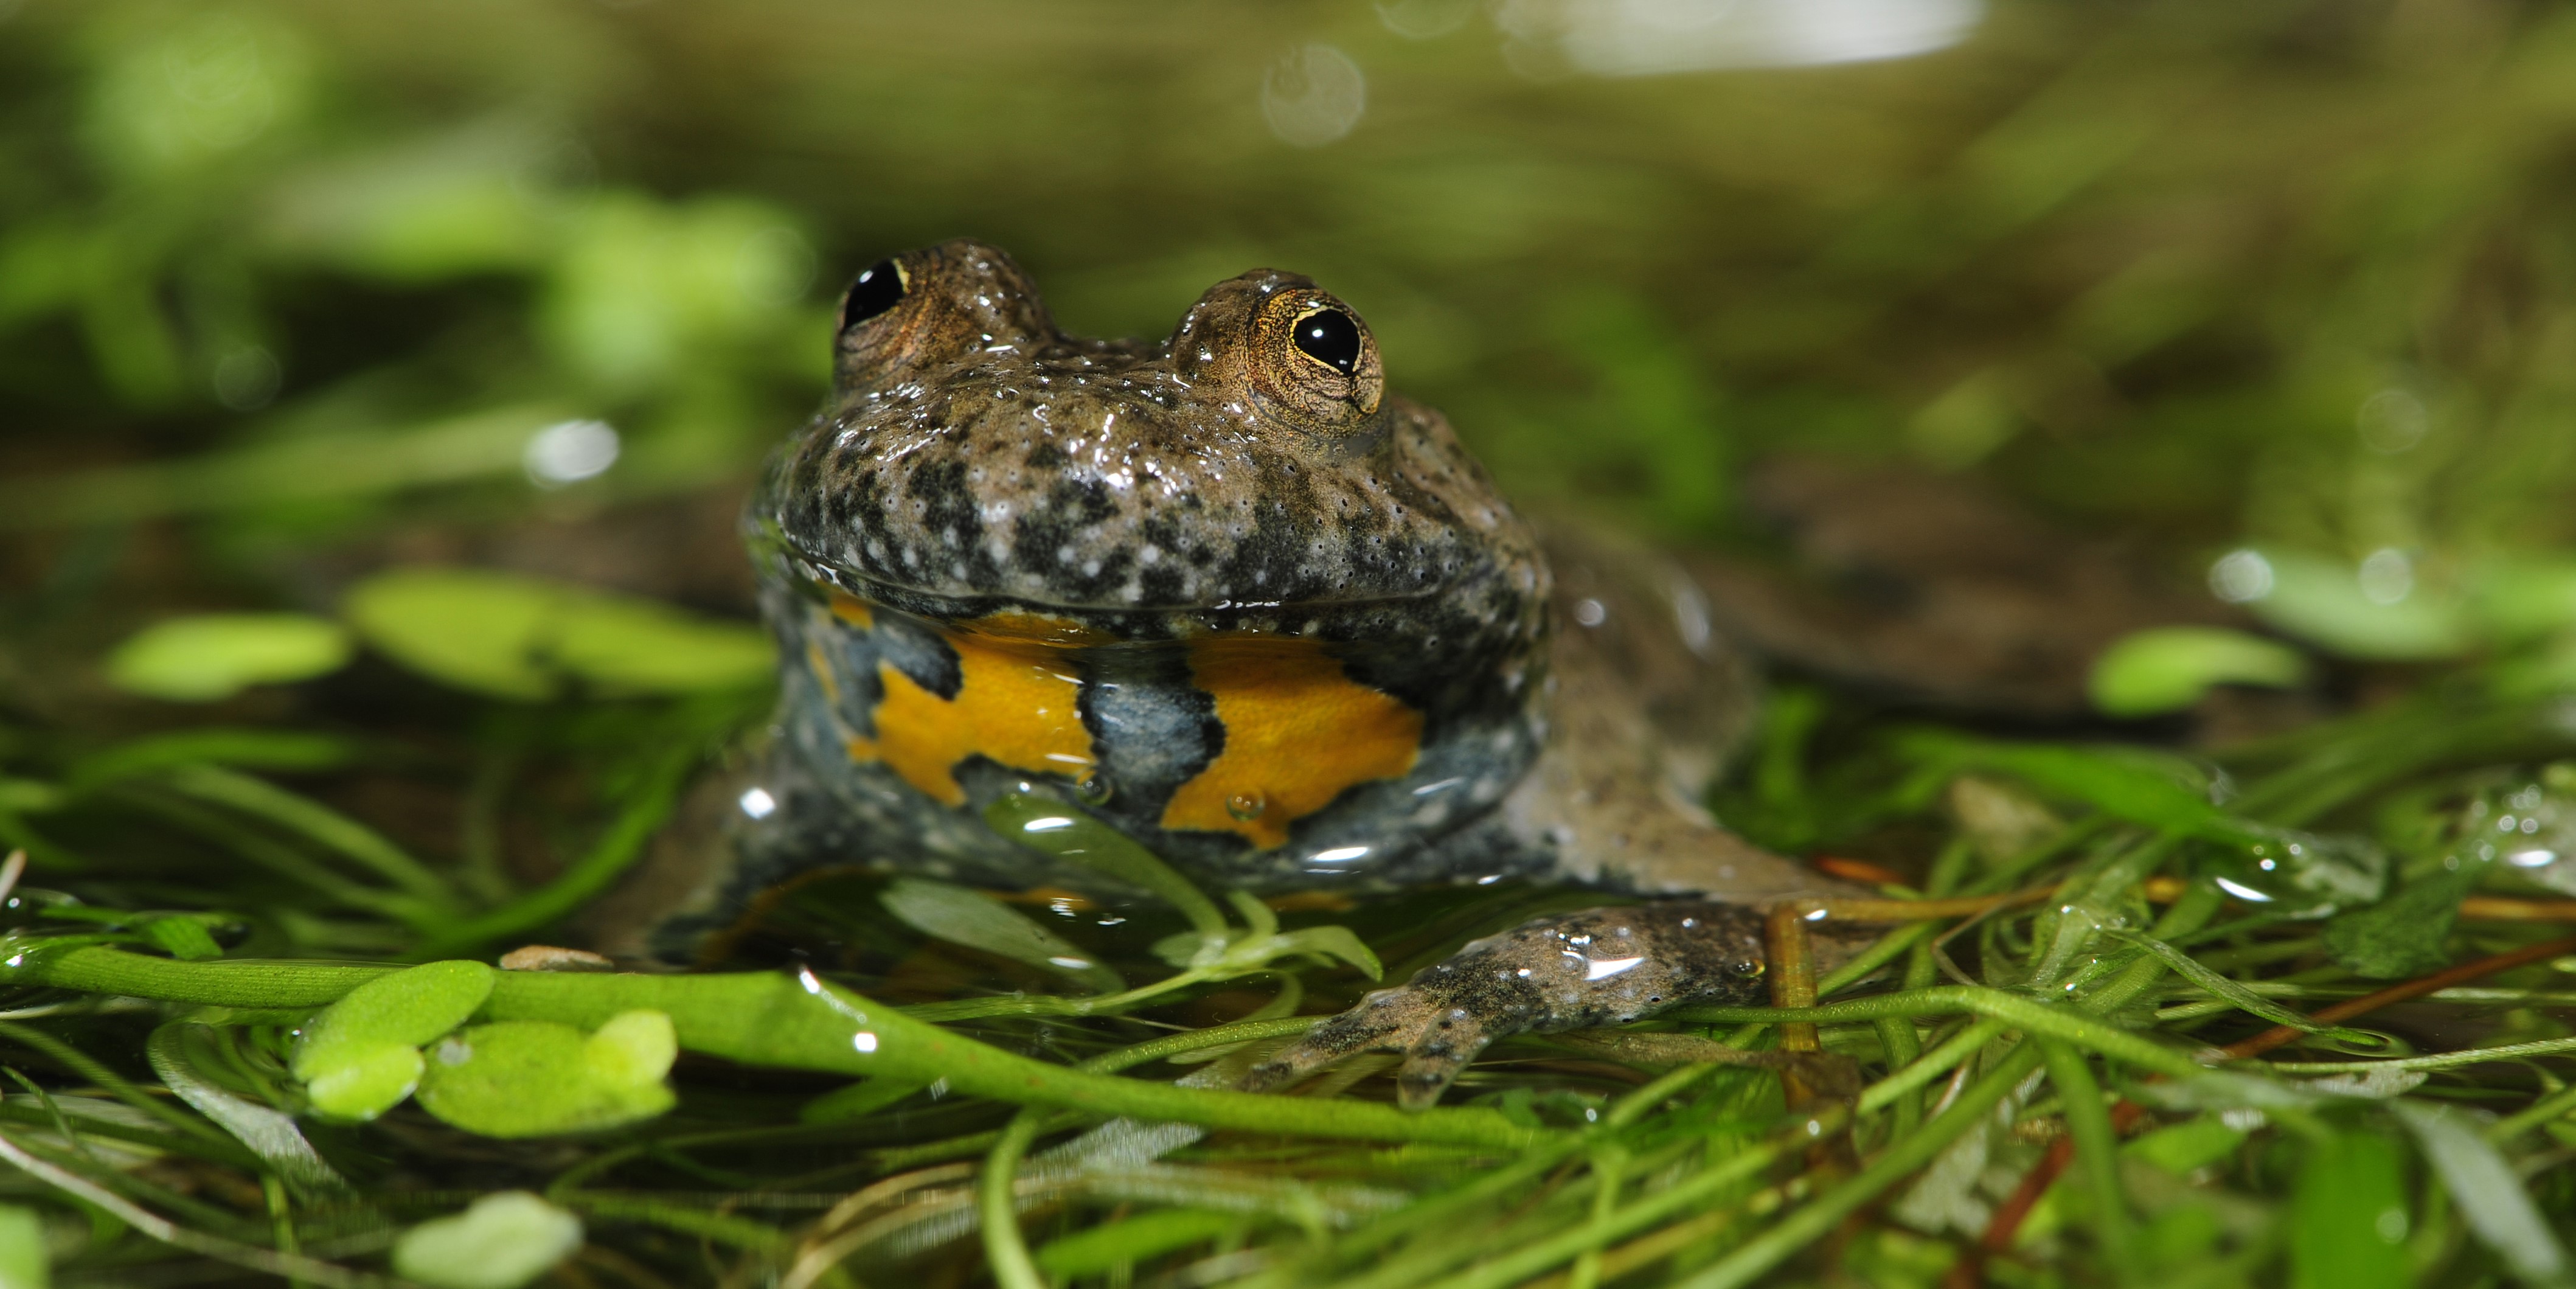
x: 537, y: 1079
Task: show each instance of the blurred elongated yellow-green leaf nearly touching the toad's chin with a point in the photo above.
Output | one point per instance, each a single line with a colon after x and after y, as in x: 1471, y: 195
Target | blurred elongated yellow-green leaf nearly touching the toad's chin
x: 529, y: 638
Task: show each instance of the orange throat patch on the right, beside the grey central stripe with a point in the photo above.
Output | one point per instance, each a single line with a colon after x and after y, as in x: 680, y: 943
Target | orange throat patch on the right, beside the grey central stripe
x: 1300, y: 731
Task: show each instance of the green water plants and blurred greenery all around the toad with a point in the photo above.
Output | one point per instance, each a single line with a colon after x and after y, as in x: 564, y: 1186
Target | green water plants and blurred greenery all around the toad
x: 380, y: 385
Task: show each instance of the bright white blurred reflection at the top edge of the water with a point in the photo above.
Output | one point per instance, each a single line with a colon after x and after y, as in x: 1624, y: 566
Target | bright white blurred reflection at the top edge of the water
x: 1650, y: 37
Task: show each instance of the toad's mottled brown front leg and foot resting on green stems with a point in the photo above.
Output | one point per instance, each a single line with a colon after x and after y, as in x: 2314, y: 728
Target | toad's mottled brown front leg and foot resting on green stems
x: 1560, y: 973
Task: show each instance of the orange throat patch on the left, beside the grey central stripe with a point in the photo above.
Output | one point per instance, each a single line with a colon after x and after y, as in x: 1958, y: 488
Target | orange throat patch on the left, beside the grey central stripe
x: 1014, y: 705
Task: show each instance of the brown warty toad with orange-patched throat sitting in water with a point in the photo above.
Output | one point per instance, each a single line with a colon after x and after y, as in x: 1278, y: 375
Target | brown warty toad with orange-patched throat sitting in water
x: 1253, y: 612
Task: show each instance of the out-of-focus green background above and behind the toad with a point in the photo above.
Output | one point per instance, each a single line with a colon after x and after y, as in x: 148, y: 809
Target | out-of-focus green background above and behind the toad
x: 2196, y: 272
